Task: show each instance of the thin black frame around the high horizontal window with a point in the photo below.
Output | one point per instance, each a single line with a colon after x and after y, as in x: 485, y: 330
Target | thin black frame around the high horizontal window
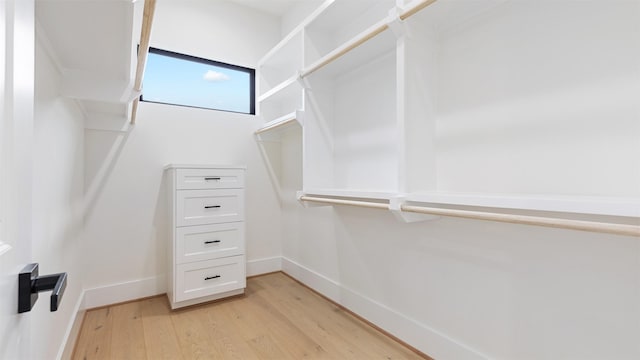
x: 185, y: 57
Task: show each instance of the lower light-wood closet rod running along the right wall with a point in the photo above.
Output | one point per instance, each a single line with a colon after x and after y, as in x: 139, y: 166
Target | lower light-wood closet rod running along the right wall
x: 608, y: 228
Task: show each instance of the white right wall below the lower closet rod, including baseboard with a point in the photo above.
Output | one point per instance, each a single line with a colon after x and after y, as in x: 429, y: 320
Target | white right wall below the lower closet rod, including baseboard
x: 469, y: 289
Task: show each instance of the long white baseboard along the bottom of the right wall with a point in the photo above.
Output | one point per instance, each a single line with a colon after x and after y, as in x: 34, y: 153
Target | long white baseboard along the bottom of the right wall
x: 420, y: 336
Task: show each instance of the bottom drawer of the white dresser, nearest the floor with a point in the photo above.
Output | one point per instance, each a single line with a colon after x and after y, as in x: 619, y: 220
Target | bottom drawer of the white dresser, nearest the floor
x: 209, y: 277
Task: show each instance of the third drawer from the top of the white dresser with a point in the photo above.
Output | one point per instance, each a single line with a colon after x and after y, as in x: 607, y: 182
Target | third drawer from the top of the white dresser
x: 204, y: 242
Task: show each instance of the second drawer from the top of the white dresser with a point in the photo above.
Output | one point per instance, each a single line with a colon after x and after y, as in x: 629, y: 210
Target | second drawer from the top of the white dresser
x: 200, y: 207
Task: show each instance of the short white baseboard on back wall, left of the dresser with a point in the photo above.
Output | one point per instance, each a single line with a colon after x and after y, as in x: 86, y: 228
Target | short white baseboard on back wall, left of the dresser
x: 126, y: 291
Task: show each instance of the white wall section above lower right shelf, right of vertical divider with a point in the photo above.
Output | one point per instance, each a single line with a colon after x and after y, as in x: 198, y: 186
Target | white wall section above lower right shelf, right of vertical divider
x: 551, y: 98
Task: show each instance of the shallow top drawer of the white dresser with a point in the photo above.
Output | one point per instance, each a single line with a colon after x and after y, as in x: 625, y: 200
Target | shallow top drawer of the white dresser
x: 194, y: 179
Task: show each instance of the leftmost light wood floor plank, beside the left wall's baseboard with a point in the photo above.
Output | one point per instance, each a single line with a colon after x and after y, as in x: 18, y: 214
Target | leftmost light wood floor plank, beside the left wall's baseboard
x: 94, y: 341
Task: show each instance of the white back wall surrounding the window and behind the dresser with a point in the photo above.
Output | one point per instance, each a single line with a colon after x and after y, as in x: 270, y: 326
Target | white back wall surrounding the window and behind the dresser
x: 125, y: 222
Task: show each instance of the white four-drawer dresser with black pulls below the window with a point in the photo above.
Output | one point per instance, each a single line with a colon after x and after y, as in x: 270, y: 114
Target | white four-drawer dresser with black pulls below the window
x: 206, y: 233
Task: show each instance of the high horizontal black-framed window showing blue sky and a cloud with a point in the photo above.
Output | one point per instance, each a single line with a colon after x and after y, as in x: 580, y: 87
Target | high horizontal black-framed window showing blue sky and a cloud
x: 178, y: 79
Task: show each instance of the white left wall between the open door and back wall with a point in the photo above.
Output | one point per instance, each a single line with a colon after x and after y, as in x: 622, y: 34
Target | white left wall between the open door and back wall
x: 58, y: 186
